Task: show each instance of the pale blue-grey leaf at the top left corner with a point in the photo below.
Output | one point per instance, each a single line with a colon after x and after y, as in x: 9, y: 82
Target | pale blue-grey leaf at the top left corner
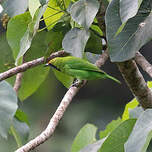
x: 14, y: 7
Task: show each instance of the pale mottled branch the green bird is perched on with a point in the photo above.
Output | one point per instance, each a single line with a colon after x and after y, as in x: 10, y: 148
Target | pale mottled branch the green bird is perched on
x: 47, y: 133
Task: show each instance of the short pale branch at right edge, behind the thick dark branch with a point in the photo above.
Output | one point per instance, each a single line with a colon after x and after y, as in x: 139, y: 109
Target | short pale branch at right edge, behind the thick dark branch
x: 141, y: 60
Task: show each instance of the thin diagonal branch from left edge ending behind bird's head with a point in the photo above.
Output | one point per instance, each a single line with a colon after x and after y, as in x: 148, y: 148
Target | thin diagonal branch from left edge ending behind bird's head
x: 29, y: 65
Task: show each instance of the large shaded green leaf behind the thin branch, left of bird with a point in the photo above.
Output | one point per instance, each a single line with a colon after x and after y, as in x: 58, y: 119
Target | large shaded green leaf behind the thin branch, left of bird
x: 33, y: 78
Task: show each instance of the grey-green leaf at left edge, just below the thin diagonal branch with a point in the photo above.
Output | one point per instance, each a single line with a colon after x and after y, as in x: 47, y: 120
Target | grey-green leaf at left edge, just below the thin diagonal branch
x: 8, y: 107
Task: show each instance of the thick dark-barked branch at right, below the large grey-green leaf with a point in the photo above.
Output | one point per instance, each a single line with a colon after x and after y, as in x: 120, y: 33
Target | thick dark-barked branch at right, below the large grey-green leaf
x: 136, y: 83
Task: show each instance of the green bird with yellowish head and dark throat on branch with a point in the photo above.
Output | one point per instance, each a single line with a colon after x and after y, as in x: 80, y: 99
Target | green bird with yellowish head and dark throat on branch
x: 78, y: 68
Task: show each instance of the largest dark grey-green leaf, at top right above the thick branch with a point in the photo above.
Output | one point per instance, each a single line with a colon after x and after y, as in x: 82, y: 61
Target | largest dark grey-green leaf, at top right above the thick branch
x: 135, y: 34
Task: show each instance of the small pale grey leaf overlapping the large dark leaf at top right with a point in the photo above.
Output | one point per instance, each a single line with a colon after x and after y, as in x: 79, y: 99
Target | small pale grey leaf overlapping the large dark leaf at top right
x: 129, y: 9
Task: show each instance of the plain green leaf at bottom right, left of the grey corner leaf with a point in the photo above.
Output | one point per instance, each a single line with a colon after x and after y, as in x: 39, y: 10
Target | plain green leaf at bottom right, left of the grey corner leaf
x: 115, y: 141
